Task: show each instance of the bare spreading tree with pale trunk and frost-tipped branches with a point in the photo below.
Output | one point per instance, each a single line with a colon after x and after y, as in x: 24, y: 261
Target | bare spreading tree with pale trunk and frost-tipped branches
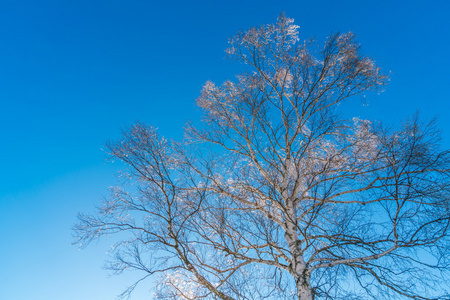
x: 275, y: 195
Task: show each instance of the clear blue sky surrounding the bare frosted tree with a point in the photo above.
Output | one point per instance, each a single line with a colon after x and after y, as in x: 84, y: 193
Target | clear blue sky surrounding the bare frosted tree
x: 74, y: 73
